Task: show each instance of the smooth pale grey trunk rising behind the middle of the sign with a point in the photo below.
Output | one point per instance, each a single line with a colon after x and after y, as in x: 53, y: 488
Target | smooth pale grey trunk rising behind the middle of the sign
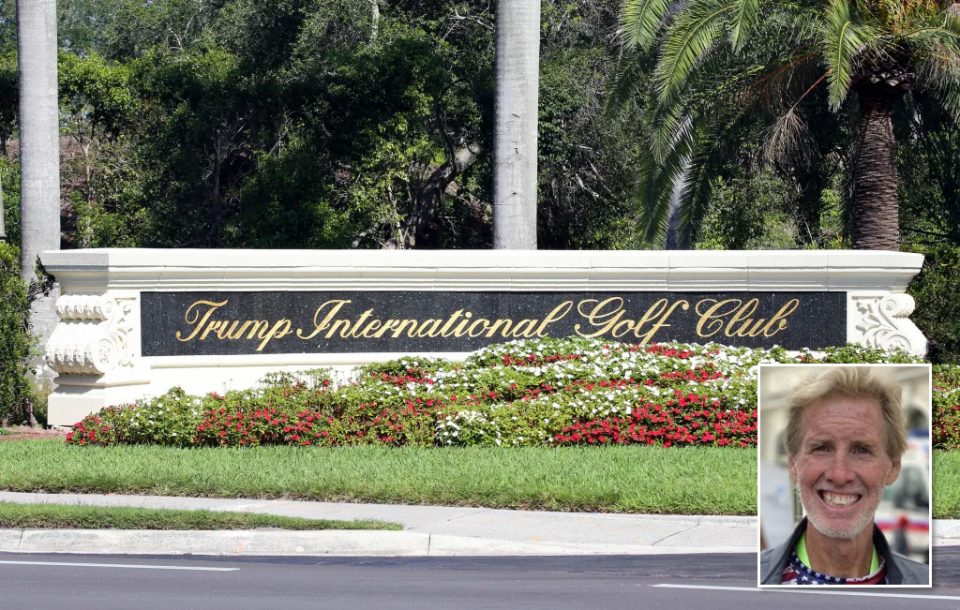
x: 515, y: 132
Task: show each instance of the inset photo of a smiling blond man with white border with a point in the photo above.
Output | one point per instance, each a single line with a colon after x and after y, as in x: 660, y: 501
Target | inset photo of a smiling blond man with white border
x: 844, y: 475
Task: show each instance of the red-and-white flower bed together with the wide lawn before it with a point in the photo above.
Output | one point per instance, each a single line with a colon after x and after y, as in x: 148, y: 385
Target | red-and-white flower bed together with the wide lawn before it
x: 555, y: 424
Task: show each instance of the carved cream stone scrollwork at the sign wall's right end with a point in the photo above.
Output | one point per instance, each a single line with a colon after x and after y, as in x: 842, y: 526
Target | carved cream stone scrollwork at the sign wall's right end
x: 884, y: 322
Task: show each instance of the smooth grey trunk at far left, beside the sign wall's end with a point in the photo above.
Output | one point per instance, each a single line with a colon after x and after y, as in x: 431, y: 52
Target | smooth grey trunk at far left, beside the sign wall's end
x: 39, y: 150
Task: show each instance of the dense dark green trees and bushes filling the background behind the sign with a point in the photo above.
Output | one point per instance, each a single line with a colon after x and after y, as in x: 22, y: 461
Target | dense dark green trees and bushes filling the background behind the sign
x: 328, y: 124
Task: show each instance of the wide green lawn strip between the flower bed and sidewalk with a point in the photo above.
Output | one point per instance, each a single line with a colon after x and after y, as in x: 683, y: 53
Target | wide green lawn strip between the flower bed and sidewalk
x: 688, y: 480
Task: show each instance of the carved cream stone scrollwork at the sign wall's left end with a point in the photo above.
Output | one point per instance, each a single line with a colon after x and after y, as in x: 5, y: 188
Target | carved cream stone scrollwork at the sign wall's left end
x: 93, y: 336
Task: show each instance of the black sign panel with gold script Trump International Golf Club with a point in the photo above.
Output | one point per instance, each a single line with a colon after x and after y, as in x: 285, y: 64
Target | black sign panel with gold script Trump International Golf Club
x: 232, y: 323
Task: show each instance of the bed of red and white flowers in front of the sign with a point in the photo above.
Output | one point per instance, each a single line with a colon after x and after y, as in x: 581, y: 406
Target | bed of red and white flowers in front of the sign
x: 523, y: 393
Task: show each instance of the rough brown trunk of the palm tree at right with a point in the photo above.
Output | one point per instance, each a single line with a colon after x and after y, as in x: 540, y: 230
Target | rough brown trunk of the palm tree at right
x: 875, y: 221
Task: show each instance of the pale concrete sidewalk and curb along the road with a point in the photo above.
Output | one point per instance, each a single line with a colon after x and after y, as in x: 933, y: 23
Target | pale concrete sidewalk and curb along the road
x: 428, y: 531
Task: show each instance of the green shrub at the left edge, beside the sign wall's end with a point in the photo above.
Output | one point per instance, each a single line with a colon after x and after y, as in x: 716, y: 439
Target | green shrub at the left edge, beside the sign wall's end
x: 15, y: 342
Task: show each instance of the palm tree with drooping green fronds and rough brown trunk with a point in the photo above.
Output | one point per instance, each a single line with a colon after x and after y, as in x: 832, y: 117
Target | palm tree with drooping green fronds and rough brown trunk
x: 861, y: 57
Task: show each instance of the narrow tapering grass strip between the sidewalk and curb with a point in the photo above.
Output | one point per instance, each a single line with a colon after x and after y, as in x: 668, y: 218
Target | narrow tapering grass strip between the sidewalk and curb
x: 90, y: 517
